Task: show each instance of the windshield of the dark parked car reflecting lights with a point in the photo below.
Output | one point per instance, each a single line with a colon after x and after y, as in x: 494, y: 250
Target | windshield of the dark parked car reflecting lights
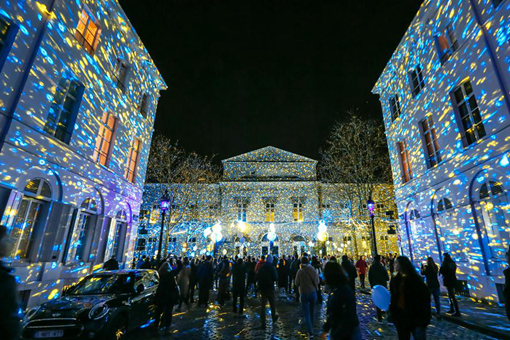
x: 103, y: 284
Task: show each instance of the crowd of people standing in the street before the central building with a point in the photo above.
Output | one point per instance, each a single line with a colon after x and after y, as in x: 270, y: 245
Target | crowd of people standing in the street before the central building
x: 308, y: 279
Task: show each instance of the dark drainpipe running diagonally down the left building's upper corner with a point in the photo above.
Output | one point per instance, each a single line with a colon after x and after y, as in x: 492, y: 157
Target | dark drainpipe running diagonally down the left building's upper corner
x: 30, y: 63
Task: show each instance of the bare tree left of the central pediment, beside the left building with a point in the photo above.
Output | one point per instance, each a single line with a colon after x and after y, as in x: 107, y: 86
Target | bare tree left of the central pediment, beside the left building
x: 184, y: 177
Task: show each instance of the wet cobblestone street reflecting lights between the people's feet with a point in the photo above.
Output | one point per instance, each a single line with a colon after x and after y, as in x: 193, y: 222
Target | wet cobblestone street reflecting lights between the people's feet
x: 218, y: 322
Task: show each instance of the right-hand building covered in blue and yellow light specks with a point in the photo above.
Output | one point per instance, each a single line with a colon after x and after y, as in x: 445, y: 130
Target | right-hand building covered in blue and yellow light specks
x: 446, y: 105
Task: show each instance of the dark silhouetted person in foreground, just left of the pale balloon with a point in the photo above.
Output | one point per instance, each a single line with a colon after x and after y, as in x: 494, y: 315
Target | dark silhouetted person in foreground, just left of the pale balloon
x: 342, y: 318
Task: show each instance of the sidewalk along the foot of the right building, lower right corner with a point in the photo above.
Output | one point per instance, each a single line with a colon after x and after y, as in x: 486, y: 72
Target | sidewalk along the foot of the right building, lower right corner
x: 484, y: 318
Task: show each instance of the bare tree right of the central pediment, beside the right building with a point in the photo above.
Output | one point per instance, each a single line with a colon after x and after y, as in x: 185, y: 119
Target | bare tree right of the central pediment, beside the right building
x: 354, y: 164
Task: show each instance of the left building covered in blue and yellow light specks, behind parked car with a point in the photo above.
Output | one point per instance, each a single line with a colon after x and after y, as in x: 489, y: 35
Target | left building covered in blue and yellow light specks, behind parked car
x: 78, y: 96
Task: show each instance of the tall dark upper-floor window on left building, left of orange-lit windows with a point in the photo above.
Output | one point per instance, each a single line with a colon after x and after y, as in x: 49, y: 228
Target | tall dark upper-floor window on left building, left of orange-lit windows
x: 64, y: 109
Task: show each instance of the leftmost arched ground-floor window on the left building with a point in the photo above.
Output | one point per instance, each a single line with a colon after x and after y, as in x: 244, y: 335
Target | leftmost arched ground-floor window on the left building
x: 37, y: 194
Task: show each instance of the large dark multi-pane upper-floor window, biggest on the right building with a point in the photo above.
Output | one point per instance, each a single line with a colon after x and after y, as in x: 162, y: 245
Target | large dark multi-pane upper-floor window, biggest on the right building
x: 469, y: 113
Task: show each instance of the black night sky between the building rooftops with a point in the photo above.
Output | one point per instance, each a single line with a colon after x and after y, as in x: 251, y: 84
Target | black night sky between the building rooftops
x: 244, y: 74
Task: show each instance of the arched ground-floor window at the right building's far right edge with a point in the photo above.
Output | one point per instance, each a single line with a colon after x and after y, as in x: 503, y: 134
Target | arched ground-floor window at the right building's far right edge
x: 494, y: 203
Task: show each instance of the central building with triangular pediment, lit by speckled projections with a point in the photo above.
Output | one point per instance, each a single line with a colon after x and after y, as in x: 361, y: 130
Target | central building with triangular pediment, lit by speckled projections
x: 268, y: 201
